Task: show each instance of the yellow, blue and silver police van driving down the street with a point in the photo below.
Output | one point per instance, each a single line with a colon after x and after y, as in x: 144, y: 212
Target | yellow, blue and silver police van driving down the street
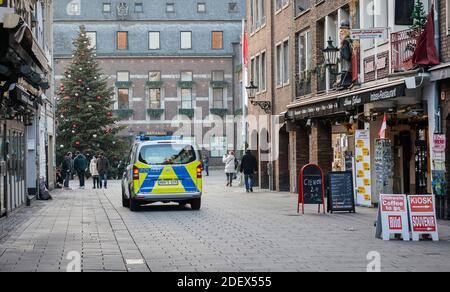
x: 163, y: 169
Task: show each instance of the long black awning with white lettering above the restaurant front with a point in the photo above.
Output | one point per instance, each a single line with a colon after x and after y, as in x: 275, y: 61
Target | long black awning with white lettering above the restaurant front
x: 342, y: 102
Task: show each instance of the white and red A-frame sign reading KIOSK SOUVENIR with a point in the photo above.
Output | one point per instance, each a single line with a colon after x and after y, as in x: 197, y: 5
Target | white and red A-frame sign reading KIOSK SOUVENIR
x: 422, y: 214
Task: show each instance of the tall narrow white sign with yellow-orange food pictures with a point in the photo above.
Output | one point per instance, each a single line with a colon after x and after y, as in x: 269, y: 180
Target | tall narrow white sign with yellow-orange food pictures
x: 363, y: 167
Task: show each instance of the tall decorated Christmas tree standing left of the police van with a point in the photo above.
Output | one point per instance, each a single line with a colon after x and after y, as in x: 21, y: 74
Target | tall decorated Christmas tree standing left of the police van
x: 84, y: 109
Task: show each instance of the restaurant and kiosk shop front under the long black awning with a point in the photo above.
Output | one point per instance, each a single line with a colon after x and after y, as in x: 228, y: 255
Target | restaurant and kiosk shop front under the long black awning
x: 342, y: 132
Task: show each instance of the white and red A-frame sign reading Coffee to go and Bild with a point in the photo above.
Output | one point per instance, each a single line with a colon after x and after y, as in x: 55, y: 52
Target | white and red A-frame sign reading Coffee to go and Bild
x: 393, y: 217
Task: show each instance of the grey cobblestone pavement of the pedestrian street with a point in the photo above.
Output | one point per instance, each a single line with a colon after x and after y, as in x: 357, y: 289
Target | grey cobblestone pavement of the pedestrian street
x: 233, y: 232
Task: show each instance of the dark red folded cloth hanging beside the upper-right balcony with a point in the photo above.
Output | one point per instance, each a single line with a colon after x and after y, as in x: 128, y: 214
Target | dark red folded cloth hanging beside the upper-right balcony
x: 426, y: 52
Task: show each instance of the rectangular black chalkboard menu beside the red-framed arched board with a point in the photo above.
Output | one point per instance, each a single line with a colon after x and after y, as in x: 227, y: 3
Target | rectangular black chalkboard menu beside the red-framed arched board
x: 341, y: 192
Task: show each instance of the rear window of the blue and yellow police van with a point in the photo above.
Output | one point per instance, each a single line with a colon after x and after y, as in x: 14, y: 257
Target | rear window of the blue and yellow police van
x: 167, y: 154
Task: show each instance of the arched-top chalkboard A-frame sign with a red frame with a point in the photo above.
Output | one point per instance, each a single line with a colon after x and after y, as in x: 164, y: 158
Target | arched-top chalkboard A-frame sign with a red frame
x: 311, y: 189
